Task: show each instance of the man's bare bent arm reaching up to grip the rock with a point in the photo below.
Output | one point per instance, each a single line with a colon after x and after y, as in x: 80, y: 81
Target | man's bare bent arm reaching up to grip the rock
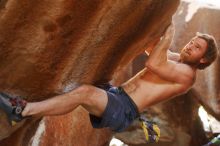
x: 169, y: 70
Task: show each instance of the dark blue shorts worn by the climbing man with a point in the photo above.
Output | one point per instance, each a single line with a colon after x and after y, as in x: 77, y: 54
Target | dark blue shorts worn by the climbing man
x: 119, y: 113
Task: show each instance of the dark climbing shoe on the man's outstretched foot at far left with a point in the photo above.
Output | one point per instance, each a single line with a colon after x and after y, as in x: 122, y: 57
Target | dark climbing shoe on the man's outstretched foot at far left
x: 13, y: 107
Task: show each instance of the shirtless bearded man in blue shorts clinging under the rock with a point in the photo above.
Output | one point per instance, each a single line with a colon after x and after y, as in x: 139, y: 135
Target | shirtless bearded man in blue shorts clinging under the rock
x: 166, y: 75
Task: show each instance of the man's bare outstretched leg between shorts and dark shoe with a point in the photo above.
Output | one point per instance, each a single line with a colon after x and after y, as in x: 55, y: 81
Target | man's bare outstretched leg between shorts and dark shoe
x: 93, y: 99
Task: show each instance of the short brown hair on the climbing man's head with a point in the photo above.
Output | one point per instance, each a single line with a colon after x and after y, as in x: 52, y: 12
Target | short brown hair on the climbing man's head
x: 212, y: 49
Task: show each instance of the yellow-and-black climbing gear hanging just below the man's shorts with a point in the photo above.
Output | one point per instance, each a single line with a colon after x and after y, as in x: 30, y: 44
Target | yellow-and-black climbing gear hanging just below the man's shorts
x: 151, y: 130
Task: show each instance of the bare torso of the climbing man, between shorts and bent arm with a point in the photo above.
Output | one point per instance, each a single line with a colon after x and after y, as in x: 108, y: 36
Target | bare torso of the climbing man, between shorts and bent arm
x: 147, y: 89
